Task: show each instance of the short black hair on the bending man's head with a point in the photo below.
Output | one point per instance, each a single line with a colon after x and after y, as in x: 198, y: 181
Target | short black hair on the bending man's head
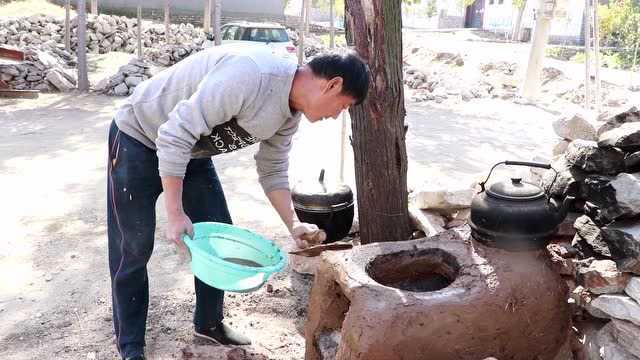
x: 347, y: 65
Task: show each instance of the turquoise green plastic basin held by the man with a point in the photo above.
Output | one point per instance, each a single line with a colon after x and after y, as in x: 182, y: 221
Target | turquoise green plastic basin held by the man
x: 232, y: 258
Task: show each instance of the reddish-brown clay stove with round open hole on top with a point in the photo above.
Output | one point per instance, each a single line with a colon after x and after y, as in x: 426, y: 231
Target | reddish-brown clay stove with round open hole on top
x: 440, y: 298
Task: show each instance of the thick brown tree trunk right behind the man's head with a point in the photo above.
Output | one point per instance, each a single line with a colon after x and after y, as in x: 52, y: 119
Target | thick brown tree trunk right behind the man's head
x: 374, y: 28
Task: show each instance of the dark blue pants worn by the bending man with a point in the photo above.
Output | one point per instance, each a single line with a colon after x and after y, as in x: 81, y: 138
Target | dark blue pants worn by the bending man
x: 133, y: 187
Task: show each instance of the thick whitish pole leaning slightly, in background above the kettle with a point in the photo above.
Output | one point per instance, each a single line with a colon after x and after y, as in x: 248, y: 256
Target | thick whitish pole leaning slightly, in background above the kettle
x: 533, y: 82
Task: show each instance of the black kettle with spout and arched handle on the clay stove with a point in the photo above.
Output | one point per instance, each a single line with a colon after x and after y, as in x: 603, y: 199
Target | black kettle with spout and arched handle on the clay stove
x: 516, y: 215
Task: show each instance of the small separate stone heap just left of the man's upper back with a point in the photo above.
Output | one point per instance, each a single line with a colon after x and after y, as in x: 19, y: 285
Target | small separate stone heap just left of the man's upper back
x: 128, y: 77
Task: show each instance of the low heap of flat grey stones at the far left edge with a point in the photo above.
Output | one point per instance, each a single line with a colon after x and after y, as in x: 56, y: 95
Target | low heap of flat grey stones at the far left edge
x: 42, y: 70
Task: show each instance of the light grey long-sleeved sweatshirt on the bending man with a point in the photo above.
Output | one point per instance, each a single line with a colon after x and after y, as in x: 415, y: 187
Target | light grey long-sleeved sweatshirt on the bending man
x: 217, y: 101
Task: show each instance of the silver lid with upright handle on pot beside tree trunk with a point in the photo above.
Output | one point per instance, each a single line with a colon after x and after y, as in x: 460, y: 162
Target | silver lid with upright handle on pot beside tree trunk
x: 320, y: 193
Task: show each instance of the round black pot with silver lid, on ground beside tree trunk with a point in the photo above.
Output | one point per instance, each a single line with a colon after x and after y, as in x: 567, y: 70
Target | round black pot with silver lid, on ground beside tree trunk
x: 329, y: 206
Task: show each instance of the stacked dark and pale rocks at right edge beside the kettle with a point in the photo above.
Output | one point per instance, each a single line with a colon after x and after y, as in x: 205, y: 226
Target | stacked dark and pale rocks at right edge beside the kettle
x: 601, y: 168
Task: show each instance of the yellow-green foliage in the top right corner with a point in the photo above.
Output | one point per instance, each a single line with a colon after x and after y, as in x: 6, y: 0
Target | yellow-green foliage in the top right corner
x: 620, y: 28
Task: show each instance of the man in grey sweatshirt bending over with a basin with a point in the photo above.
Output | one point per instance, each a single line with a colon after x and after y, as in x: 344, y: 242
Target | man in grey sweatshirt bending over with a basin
x: 162, y: 139
